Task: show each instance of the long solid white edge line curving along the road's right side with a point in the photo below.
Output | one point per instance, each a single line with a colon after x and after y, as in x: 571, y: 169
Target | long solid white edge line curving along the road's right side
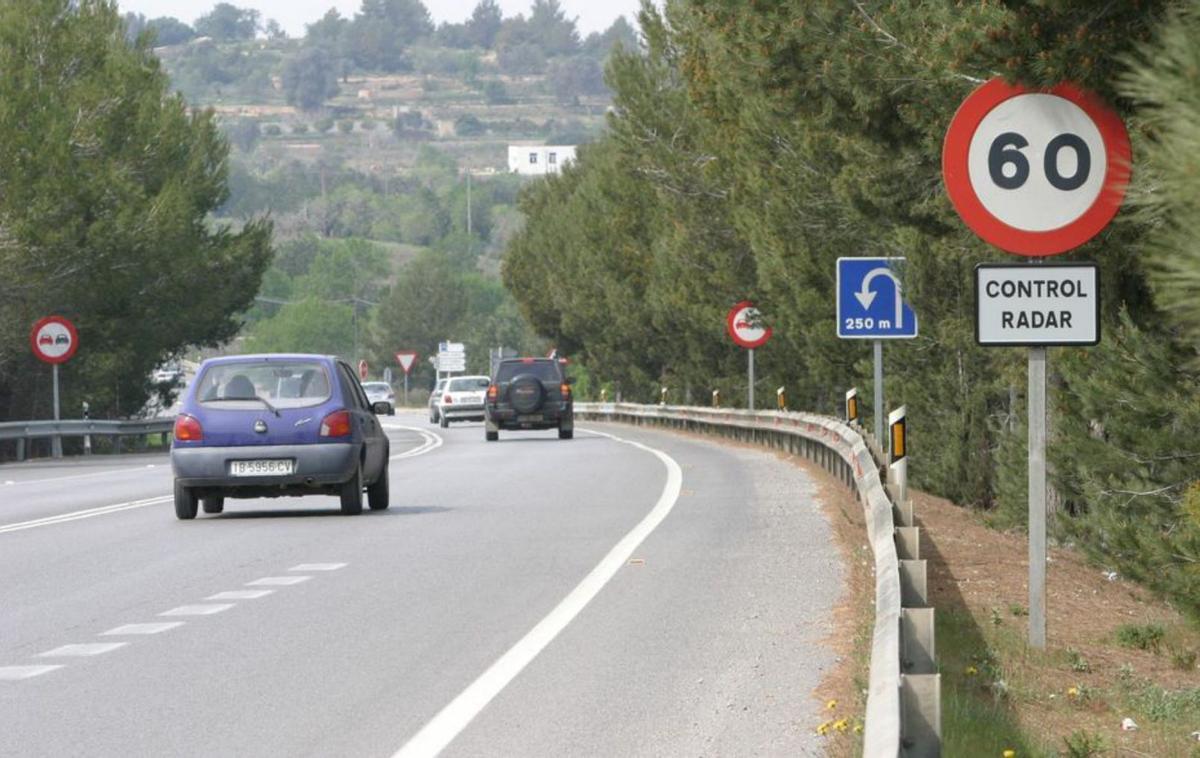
x: 452, y: 720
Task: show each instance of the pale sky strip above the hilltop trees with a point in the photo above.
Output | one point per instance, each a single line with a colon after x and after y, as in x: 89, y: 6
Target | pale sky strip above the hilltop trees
x: 293, y: 15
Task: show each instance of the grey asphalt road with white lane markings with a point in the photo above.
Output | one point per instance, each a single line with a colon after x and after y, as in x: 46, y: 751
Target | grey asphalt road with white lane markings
x: 628, y: 593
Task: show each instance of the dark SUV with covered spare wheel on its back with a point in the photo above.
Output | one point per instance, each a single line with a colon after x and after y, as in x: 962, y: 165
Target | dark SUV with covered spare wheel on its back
x: 530, y: 394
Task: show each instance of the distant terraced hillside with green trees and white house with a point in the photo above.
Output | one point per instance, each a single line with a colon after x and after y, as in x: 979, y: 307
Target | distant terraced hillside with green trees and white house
x: 379, y: 146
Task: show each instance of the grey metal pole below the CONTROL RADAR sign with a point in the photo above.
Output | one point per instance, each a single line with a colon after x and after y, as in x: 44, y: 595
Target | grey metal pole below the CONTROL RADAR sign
x: 1039, y: 498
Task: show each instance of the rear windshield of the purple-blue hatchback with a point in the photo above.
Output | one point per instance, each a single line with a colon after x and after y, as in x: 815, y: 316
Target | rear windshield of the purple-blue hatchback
x: 291, y: 384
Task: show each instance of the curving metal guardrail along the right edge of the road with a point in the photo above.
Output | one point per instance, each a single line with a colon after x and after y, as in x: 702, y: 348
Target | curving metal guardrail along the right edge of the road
x: 904, y: 696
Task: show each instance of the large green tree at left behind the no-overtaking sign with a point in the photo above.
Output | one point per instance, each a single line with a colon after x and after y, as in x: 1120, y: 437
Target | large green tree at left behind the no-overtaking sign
x: 106, y: 184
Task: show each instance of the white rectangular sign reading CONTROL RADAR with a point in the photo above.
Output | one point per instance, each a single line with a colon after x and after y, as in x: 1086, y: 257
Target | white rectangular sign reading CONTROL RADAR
x: 1037, y: 305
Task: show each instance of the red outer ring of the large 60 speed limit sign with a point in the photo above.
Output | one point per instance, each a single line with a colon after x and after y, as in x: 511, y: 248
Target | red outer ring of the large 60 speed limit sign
x: 956, y: 172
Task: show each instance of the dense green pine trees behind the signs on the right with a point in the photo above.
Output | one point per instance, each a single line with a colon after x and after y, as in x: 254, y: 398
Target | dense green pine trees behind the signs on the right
x: 753, y: 145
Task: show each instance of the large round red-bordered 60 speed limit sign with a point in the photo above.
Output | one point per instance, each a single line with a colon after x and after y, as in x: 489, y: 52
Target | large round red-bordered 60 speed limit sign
x: 1036, y: 172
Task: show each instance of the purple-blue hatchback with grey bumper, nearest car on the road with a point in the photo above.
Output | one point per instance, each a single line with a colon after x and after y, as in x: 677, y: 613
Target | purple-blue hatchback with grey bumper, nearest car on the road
x: 267, y: 426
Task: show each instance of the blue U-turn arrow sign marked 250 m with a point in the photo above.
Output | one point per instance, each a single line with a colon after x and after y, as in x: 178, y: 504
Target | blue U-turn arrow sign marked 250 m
x: 871, y: 300
